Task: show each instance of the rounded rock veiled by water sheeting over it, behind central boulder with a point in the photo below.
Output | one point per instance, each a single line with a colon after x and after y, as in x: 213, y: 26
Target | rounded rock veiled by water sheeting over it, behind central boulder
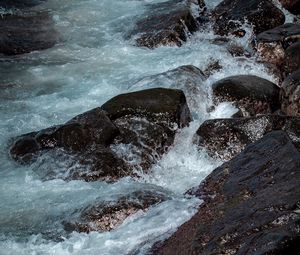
x: 187, y: 78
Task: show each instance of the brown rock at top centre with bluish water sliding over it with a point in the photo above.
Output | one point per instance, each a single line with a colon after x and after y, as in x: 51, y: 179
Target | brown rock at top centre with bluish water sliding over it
x: 167, y: 23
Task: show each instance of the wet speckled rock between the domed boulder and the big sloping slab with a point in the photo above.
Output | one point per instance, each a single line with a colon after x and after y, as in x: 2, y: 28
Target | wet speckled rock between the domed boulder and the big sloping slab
x: 225, y: 138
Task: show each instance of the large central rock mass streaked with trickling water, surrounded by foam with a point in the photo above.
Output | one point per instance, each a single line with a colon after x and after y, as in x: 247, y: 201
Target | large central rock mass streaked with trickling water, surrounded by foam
x: 129, y: 131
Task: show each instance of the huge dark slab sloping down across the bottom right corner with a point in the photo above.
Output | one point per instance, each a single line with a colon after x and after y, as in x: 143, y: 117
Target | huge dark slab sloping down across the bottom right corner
x: 251, y: 205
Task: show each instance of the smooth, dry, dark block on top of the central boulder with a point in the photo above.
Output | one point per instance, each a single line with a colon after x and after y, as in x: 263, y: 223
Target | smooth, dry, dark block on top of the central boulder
x: 157, y: 104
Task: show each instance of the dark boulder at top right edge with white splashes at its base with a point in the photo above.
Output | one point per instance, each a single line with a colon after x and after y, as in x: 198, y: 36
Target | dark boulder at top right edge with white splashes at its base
x: 229, y: 16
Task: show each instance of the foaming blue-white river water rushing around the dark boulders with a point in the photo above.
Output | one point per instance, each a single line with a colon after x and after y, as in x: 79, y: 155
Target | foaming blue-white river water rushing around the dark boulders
x: 92, y: 63
